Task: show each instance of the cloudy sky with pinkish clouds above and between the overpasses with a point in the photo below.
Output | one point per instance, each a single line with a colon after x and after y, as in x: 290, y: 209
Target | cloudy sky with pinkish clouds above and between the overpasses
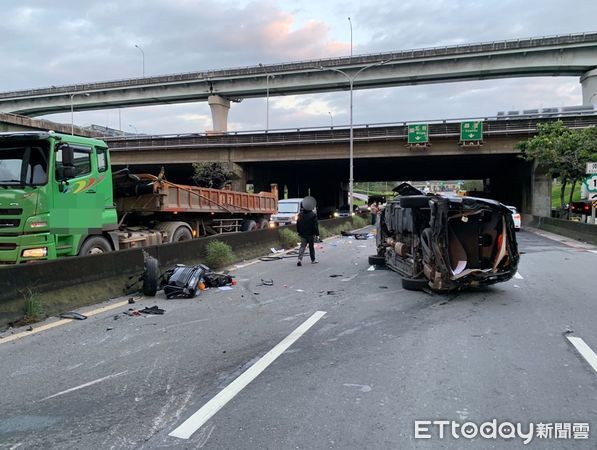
x: 58, y: 42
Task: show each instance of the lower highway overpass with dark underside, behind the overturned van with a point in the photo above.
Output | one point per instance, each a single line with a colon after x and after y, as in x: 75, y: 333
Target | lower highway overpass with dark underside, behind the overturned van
x: 316, y: 160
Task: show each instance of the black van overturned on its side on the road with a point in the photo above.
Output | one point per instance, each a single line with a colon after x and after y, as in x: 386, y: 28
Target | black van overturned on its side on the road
x: 446, y: 243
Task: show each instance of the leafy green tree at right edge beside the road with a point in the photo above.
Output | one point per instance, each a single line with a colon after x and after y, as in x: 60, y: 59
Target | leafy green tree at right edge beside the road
x: 563, y: 151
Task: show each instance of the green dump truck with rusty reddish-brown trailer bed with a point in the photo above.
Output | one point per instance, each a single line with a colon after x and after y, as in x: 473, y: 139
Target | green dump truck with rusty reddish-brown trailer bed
x: 57, y: 198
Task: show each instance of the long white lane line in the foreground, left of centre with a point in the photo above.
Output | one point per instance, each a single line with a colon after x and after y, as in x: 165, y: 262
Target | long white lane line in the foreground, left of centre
x: 197, y: 420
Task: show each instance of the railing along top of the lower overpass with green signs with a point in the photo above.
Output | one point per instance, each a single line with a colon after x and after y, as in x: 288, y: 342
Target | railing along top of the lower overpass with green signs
x: 494, y: 127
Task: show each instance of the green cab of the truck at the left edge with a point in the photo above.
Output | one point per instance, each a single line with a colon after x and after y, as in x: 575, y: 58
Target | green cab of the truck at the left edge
x: 55, y: 197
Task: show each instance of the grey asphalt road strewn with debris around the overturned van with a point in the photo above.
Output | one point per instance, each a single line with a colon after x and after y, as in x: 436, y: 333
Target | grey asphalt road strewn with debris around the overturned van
x: 379, y: 359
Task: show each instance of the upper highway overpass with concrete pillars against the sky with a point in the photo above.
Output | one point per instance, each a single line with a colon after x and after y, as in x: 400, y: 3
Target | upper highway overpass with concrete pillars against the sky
x: 567, y: 55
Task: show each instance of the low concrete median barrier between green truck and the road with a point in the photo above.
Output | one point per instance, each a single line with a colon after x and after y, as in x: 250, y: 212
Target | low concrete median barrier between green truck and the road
x: 71, y: 283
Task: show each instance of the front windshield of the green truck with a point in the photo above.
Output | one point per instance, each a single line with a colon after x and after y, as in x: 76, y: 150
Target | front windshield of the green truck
x: 23, y: 164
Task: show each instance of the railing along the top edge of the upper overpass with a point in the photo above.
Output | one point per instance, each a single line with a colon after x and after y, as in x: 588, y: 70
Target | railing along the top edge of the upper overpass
x: 356, y: 61
